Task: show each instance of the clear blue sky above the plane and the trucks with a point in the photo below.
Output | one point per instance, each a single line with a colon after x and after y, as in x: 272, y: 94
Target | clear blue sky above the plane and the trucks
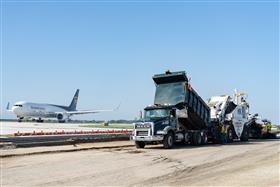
x: 110, y: 50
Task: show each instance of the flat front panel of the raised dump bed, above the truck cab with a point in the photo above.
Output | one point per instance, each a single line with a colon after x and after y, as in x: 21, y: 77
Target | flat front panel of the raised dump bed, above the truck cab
x: 170, y: 93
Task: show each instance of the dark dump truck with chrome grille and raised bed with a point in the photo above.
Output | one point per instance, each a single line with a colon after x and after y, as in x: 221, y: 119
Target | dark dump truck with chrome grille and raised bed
x: 178, y: 114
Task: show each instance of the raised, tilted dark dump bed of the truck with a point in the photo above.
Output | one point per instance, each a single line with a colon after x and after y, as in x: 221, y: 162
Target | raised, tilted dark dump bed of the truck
x: 173, y: 89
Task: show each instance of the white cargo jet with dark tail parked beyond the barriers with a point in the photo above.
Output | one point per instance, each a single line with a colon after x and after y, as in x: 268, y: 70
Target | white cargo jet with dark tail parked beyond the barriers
x: 38, y: 111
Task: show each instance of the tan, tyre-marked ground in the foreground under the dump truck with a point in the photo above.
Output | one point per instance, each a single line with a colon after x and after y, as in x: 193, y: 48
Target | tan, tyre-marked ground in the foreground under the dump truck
x: 254, y: 163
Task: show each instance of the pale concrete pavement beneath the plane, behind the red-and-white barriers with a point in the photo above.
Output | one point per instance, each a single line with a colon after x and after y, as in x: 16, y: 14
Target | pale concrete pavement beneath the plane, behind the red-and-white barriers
x: 9, y: 128
